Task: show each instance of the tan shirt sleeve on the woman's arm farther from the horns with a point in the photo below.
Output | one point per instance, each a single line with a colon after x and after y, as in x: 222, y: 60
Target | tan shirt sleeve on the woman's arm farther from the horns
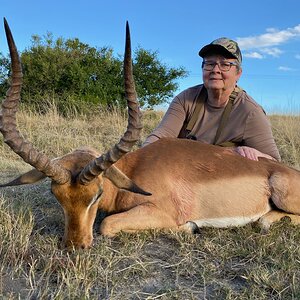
x: 258, y: 134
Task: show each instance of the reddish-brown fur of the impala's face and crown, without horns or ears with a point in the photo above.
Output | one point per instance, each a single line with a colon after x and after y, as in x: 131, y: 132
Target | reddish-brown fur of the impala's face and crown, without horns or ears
x: 75, y: 199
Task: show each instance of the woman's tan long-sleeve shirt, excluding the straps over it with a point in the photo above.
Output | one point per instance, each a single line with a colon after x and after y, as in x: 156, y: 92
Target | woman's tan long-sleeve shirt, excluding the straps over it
x: 247, y: 124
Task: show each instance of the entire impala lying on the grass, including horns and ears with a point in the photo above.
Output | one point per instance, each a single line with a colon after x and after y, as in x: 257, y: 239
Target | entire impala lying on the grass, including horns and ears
x: 177, y: 184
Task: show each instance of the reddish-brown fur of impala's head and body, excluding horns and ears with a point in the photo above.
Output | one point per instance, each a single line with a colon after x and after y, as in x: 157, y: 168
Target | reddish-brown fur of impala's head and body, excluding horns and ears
x: 188, y: 180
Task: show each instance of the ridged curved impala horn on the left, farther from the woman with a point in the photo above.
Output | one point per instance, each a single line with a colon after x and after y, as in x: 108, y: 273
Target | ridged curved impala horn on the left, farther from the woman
x: 8, y: 127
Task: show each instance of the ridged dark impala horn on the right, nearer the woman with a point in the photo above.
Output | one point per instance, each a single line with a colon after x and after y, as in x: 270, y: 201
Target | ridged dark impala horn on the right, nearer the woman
x: 132, y: 134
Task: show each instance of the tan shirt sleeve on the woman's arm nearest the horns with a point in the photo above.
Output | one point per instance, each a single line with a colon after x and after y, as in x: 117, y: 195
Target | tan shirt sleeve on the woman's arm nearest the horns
x: 172, y: 121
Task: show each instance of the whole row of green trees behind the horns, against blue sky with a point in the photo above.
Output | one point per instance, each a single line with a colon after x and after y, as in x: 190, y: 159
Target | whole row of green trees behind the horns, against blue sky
x: 75, y: 75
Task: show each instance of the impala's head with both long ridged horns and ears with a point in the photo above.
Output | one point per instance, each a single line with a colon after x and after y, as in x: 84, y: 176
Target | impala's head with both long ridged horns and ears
x: 76, y: 177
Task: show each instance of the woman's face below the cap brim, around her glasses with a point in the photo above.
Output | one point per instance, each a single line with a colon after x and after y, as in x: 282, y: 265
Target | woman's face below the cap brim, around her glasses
x: 216, y: 79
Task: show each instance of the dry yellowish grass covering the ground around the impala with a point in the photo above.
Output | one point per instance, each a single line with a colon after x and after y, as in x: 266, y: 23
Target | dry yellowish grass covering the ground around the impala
x: 237, y: 263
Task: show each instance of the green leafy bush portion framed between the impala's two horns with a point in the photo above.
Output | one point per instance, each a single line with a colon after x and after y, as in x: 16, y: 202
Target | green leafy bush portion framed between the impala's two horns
x: 71, y: 72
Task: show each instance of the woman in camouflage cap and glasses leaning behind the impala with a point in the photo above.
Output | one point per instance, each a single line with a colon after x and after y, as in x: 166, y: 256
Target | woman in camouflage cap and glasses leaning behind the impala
x: 218, y: 111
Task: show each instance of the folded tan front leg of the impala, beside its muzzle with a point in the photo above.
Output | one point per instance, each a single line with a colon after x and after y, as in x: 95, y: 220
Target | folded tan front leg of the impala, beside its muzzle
x: 141, y: 217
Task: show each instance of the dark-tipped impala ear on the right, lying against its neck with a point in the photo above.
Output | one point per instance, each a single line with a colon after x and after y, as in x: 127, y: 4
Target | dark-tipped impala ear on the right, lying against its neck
x: 121, y: 181
